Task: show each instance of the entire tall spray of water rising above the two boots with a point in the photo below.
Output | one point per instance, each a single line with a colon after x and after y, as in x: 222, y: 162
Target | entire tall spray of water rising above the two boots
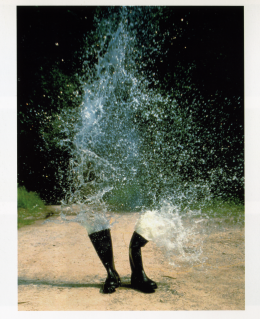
x: 135, y: 149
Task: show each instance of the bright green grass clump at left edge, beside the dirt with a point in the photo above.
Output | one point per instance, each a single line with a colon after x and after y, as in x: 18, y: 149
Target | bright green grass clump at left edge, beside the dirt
x: 30, y: 207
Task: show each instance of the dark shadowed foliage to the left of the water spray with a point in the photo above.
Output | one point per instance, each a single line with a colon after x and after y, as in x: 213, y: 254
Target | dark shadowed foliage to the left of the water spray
x: 51, y: 47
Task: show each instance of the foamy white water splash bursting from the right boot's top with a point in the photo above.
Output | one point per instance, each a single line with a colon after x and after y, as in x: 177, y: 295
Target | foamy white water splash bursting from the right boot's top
x: 171, y: 232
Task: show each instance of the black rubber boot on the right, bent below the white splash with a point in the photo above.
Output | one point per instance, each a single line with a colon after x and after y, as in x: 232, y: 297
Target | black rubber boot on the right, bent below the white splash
x: 139, y: 279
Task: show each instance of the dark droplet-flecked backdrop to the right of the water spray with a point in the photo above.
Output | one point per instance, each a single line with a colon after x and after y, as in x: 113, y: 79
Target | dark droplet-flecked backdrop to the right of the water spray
x: 195, y: 55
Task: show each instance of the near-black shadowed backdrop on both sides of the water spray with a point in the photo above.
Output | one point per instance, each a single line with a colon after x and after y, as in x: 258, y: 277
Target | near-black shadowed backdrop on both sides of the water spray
x: 51, y: 46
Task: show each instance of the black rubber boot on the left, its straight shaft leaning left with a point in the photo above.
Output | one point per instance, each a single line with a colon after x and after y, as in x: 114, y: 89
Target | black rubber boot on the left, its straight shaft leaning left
x: 102, y: 243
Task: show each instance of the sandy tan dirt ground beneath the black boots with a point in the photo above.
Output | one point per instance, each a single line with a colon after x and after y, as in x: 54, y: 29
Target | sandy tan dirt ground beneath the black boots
x: 58, y: 269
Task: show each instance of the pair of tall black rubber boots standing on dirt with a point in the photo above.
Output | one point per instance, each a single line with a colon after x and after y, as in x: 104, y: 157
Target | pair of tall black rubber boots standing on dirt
x: 102, y: 243
